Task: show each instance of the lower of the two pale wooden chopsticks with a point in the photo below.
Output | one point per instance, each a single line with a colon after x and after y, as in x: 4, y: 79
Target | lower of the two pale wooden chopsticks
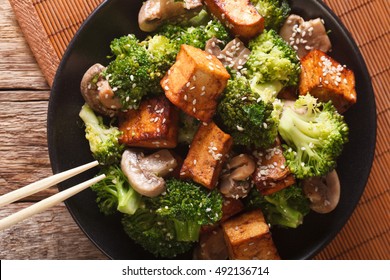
x: 46, y: 203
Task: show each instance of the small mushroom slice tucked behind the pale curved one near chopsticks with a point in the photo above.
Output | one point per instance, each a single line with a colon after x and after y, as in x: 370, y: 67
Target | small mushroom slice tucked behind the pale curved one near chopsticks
x: 161, y: 163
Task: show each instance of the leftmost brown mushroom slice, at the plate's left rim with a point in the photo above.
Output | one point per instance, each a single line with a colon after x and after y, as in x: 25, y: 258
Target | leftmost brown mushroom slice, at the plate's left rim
x: 97, y: 92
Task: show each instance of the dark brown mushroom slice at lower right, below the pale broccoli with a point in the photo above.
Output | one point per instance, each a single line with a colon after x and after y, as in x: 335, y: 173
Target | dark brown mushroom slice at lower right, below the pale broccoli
x: 323, y: 192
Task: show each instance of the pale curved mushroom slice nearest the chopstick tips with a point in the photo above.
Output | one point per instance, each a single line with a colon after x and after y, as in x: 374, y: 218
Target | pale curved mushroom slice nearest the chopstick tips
x: 143, y: 181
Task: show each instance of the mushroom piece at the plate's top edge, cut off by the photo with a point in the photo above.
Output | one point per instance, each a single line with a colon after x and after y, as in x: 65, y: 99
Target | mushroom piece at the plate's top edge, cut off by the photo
x: 154, y: 12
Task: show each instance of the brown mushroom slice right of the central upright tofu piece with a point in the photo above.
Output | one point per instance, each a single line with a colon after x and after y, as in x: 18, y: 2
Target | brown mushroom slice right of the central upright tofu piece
x: 235, y: 183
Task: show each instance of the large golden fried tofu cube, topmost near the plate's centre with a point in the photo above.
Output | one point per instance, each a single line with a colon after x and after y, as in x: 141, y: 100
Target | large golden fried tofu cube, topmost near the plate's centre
x: 195, y: 82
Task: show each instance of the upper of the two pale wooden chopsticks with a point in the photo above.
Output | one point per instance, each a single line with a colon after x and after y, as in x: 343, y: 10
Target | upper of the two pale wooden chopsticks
x: 44, y: 184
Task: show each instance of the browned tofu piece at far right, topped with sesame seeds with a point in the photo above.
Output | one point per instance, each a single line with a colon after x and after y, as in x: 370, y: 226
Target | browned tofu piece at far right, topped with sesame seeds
x: 326, y: 79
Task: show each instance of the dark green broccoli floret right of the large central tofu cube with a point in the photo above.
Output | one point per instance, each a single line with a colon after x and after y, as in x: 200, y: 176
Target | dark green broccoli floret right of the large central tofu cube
x: 246, y: 117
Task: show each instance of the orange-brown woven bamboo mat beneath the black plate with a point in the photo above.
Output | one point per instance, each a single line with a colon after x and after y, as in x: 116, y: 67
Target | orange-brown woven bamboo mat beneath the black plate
x: 49, y: 25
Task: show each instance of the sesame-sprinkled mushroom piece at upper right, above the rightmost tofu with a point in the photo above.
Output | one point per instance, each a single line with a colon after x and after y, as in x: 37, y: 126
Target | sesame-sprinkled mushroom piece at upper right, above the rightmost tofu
x: 305, y: 36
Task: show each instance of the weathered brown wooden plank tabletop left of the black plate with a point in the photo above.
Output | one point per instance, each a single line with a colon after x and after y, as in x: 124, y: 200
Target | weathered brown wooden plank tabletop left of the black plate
x: 24, y: 96
